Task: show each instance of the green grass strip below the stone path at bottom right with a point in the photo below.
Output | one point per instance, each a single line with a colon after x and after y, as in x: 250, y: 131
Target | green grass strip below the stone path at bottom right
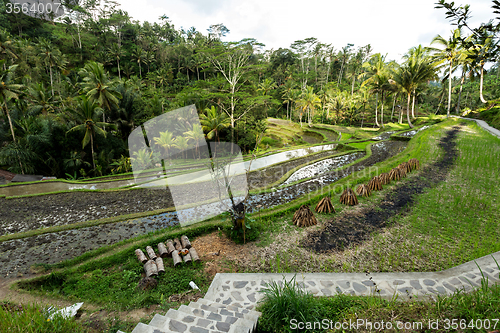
x: 282, y: 304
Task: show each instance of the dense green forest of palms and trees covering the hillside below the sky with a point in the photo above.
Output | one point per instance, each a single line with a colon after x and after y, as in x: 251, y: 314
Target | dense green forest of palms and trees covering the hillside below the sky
x: 73, y: 90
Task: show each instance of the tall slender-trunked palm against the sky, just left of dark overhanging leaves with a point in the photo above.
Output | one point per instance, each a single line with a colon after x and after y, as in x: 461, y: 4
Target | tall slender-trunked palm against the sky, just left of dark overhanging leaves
x: 450, y: 52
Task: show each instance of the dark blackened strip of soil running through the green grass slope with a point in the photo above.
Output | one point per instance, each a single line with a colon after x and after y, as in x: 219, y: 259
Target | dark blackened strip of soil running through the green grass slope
x: 356, y: 226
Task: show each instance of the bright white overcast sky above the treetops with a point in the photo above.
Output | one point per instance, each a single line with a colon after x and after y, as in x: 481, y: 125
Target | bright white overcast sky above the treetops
x: 390, y: 26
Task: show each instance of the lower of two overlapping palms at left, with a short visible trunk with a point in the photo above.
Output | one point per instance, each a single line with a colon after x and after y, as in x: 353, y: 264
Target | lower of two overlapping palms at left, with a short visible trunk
x: 86, y: 113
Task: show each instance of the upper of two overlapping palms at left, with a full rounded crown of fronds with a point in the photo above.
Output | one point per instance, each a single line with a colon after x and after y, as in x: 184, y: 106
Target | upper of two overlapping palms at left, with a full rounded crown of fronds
x: 98, y: 88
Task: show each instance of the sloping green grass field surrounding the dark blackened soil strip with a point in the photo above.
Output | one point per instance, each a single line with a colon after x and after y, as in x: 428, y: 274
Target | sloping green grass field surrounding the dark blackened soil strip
x: 452, y: 223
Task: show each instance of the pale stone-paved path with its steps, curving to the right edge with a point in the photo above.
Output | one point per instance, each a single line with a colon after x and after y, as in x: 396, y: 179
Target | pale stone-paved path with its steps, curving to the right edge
x: 229, y: 303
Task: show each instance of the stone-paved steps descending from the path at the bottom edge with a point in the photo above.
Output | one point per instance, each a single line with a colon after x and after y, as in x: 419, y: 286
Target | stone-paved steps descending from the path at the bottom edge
x: 202, y: 316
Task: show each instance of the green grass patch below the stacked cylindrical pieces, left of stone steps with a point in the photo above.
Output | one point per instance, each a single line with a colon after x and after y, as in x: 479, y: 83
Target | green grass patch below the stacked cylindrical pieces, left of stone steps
x: 115, y: 287
